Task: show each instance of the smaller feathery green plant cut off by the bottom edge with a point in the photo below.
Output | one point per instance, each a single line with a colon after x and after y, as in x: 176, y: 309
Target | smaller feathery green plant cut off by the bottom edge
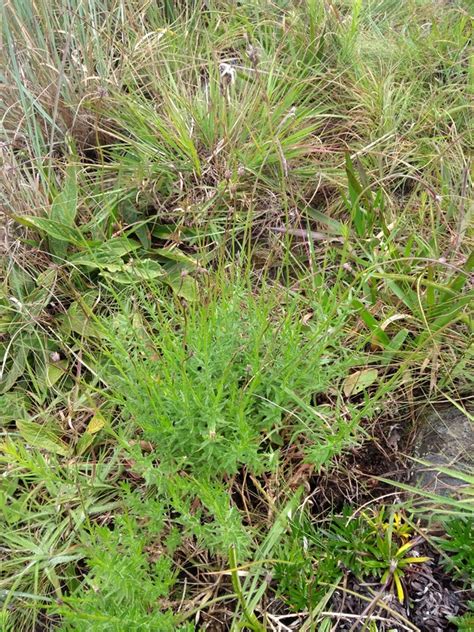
x: 127, y: 574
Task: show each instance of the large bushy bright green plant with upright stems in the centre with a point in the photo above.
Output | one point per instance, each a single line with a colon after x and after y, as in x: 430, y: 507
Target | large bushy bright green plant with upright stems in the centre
x: 217, y: 385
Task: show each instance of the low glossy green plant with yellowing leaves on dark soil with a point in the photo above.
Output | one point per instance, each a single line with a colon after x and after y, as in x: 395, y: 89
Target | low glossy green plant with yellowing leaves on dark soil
x: 377, y: 545
